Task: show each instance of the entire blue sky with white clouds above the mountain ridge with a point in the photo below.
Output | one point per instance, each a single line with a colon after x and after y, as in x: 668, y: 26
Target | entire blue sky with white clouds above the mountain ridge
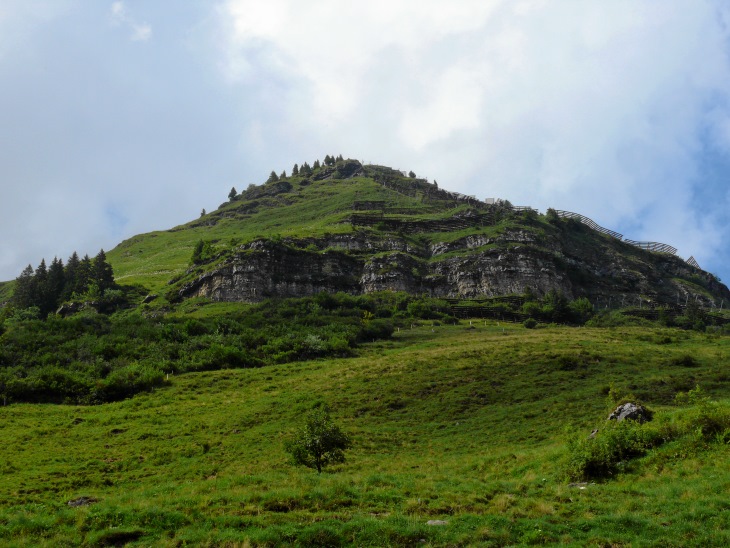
x: 121, y: 117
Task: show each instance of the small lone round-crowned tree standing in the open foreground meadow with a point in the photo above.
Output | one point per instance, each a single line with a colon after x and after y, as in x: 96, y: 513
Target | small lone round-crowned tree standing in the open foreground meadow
x: 319, y: 442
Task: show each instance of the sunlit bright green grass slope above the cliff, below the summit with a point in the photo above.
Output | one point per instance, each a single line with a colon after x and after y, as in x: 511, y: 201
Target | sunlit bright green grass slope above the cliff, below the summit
x: 307, y: 210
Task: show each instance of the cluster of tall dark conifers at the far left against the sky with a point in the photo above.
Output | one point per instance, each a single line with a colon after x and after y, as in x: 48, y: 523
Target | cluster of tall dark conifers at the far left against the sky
x: 47, y: 287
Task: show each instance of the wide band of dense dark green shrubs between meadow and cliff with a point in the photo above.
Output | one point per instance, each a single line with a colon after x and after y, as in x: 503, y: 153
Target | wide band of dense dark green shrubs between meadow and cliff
x: 90, y: 358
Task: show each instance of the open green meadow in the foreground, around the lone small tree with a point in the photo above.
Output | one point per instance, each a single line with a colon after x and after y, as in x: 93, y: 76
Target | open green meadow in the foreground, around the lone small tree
x: 463, y: 425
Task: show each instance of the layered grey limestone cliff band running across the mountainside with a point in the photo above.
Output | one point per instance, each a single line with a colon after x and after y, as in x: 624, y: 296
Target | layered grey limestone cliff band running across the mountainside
x: 470, y: 267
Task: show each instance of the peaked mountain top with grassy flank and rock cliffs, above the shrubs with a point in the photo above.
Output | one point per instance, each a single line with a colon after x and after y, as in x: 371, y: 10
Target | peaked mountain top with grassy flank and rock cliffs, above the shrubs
x: 366, y: 228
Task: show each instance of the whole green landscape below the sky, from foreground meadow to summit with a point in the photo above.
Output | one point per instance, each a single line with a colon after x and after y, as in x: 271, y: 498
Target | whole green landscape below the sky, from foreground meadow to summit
x: 471, y: 353
